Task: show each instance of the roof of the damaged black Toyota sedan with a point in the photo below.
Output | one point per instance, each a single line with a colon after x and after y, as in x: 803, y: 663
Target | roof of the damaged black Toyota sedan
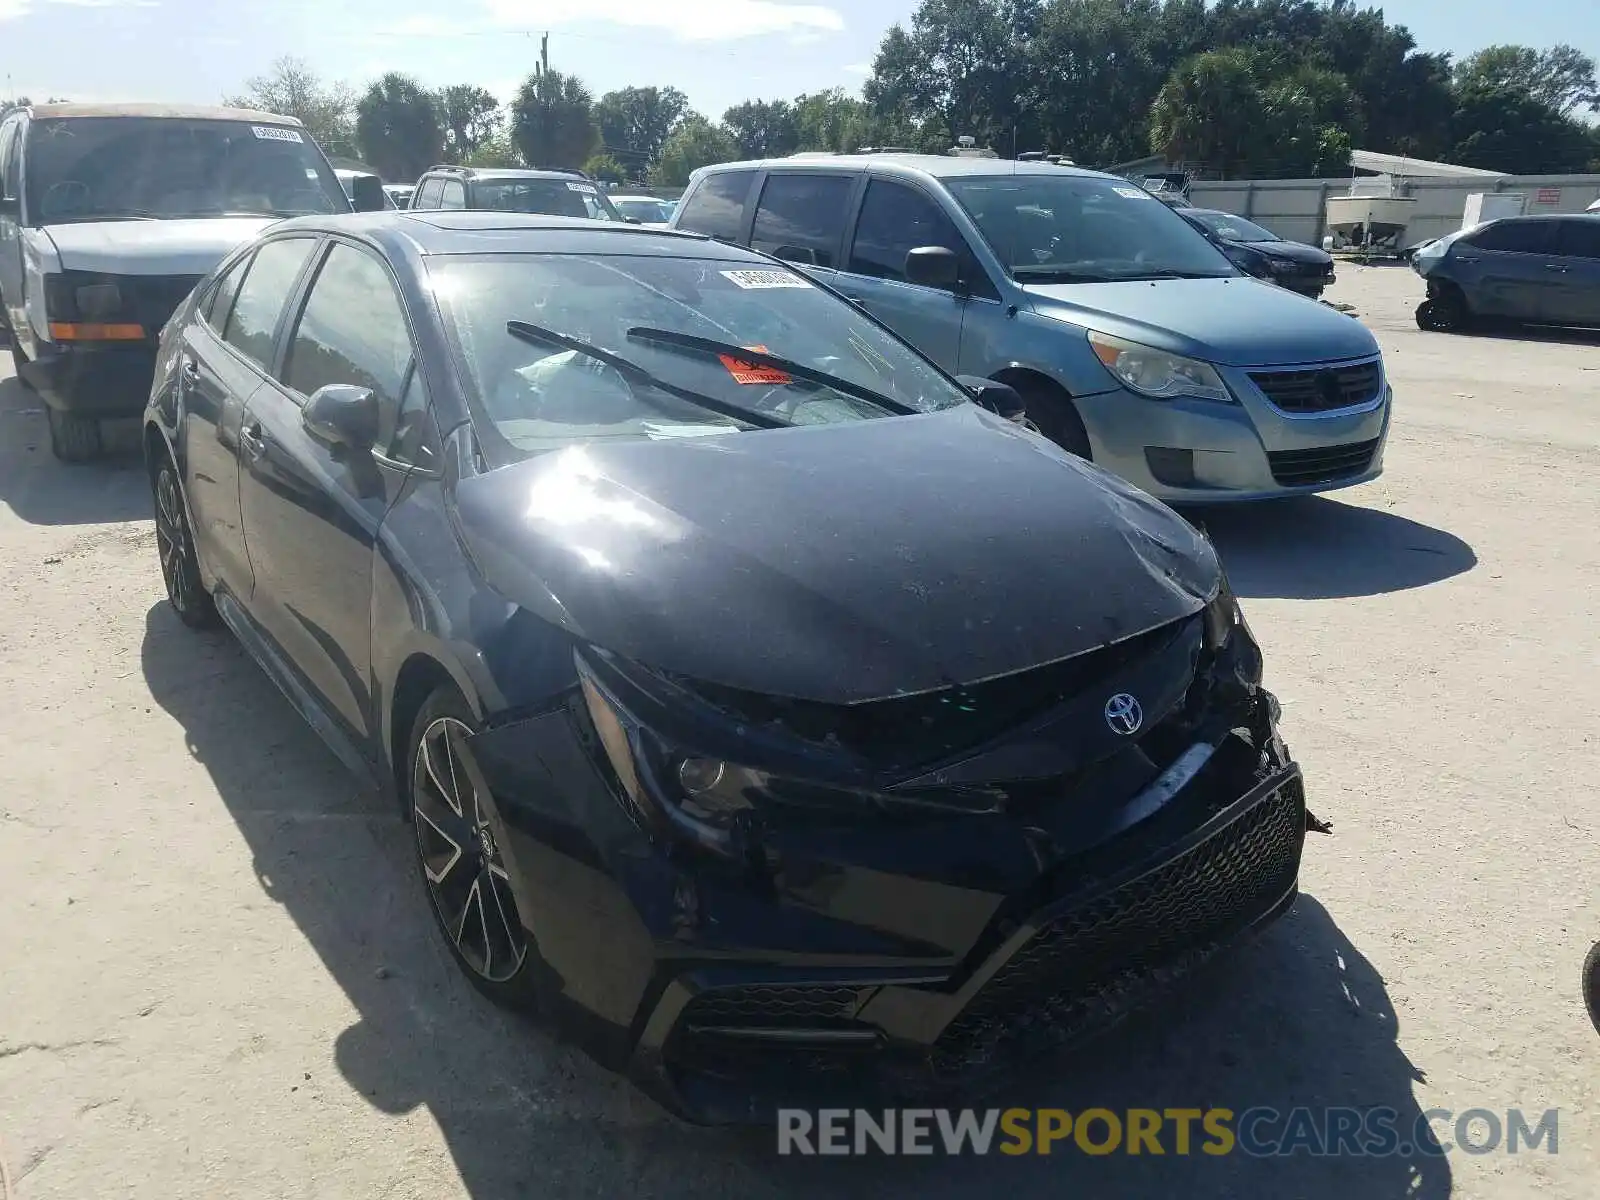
x: 466, y: 231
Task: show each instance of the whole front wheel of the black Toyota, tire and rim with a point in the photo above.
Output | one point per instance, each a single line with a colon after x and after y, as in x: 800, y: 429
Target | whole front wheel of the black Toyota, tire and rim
x: 460, y: 849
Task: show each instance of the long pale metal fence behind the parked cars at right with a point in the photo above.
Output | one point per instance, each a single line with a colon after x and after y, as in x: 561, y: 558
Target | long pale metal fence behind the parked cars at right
x: 1297, y: 209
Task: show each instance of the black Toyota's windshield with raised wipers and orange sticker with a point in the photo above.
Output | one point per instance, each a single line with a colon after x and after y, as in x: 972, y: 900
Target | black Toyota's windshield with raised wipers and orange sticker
x: 658, y: 314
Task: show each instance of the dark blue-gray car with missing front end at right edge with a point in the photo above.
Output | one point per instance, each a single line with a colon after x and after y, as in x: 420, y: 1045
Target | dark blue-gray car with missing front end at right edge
x: 1540, y: 270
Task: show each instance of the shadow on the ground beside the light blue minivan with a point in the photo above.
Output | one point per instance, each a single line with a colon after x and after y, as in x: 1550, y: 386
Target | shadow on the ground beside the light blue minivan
x: 1314, y: 548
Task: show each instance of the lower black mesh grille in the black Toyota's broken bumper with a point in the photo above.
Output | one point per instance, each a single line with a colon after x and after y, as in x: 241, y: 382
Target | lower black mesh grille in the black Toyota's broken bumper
x: 1124, y: 942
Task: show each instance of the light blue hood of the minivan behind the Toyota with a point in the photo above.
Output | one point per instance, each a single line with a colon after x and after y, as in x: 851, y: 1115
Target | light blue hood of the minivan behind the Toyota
x: 1238, y: 322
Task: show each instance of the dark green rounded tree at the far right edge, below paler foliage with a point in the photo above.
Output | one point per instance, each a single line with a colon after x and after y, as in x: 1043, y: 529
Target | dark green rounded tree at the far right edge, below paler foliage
x: 1508, y: 130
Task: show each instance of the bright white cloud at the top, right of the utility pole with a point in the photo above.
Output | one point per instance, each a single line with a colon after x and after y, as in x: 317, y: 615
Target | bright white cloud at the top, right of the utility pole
x: 687, y: 20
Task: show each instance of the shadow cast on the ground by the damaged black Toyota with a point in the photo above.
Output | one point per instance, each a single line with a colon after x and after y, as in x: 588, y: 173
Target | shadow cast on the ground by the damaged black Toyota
x: 1295, y: 1018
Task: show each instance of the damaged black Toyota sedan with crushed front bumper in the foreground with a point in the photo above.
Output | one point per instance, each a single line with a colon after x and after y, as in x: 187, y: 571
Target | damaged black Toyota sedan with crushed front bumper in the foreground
x: 769, y: 713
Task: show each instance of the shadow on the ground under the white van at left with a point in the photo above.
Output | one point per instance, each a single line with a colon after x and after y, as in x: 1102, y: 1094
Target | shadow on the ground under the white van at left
x: 41, y: 490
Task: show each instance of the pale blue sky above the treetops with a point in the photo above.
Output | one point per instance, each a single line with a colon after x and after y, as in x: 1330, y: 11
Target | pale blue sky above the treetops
x: 719, y: 52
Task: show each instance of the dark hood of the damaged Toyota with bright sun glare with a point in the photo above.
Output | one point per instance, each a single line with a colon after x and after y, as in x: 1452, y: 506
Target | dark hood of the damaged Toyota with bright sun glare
x: 836, y: 564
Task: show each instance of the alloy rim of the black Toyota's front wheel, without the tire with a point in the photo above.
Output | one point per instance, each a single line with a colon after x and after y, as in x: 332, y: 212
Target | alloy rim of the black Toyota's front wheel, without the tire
x: 462, y: 855
